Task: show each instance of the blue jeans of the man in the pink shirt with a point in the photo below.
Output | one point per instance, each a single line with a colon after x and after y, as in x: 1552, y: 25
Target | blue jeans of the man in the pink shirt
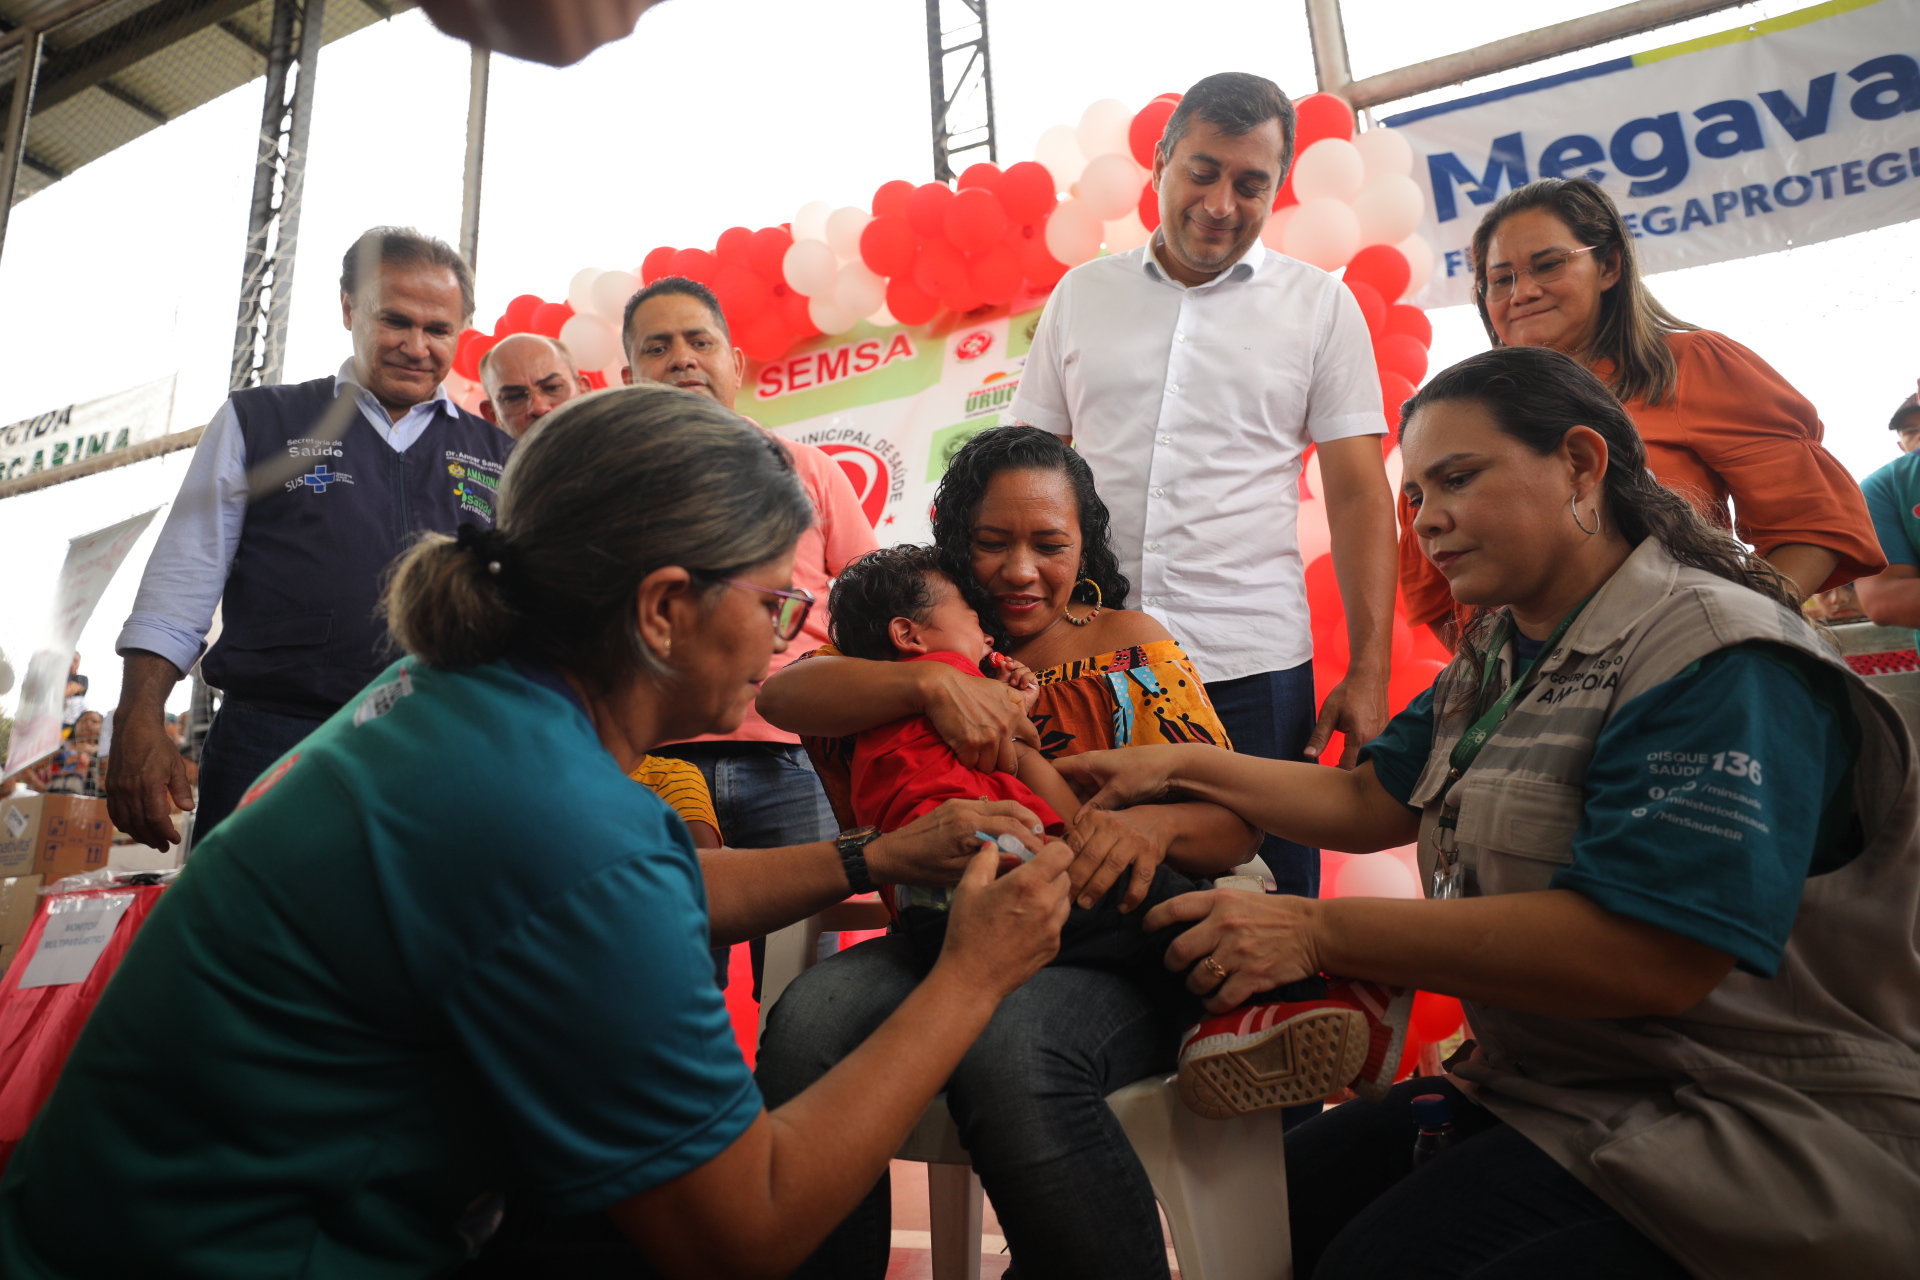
x: 767, y: 795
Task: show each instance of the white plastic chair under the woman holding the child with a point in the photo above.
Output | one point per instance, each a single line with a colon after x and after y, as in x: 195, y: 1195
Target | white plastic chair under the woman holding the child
x: 1220, y: 1183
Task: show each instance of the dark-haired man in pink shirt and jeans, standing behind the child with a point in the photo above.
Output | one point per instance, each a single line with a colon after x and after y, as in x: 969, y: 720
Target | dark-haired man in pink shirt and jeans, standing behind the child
x: 761, y: 782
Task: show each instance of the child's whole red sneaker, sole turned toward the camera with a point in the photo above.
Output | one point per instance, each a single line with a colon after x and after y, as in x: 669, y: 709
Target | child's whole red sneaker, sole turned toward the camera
x: 1284, y: 1055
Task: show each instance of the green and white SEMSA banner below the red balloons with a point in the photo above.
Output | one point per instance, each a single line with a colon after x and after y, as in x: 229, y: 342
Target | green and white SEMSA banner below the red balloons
x: 894, y: 404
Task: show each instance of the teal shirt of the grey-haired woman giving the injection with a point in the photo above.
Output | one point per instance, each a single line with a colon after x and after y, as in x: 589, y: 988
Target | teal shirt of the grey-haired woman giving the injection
x: 446, y: 951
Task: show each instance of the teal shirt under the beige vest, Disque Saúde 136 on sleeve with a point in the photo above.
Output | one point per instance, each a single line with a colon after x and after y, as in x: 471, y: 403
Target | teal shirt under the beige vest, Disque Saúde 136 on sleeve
x: 1769, y: 728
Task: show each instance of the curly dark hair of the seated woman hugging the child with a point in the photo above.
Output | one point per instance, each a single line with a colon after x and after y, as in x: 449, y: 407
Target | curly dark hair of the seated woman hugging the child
x: 1024, y: 448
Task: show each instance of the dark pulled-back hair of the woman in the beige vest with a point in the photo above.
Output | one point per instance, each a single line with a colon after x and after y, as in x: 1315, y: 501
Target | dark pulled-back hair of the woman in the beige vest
x: 1537, y: 396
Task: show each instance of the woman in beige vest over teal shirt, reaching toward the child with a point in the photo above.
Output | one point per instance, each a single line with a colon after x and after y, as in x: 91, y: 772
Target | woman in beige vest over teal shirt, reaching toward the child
x: 1671, y: 872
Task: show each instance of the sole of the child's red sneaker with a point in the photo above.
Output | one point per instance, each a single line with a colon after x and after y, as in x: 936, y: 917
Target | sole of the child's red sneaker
x: 1303, y: 1060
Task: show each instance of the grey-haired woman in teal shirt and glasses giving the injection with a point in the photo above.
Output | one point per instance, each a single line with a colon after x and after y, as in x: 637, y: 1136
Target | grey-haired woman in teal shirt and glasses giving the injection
x: 446, y: 953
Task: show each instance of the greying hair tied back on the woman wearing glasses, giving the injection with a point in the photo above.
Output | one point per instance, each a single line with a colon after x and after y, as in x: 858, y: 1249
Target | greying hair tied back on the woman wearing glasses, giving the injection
x: 612, y: 488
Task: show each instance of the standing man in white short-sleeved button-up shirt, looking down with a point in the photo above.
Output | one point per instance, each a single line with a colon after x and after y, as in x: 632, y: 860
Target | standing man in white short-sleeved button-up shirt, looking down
x: 1193, y: 375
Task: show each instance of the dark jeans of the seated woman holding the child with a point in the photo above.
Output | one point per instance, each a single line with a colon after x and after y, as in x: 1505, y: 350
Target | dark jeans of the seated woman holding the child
x: 1030, y: 1101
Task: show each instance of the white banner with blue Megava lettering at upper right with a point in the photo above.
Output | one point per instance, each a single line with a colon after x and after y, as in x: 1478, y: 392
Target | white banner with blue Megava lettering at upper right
x: 1787, y: 131
